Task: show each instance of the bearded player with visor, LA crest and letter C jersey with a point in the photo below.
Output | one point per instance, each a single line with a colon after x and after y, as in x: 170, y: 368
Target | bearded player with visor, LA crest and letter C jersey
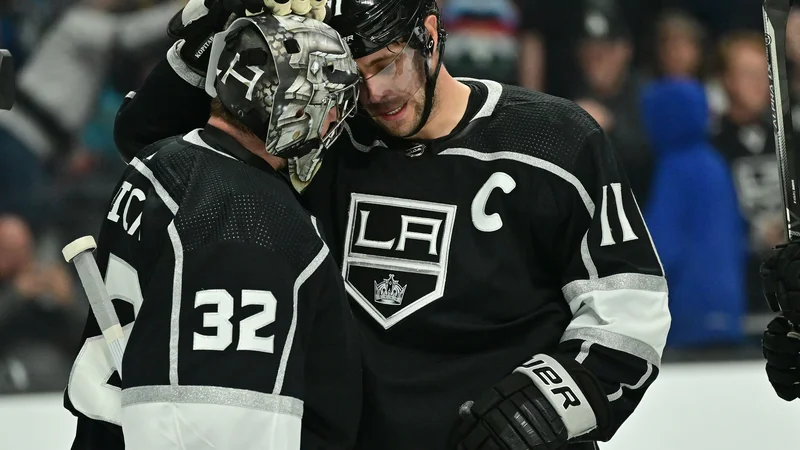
x: 487, y: 235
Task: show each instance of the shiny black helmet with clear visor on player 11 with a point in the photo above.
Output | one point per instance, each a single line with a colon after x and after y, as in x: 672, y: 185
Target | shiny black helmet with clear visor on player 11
x: 368, y: 26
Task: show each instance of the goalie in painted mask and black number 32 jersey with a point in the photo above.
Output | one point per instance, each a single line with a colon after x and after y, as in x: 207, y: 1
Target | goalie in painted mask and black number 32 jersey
x: 240, y: 335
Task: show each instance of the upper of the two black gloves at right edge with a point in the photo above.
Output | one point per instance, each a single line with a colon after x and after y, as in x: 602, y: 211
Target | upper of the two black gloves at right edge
x: 780, y: 274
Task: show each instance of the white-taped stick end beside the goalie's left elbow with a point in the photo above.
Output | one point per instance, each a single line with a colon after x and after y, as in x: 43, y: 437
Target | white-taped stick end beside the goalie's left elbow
x: 79, y: 252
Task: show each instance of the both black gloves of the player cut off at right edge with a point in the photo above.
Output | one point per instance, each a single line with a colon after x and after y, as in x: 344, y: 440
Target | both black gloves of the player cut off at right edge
x: 781, y: 344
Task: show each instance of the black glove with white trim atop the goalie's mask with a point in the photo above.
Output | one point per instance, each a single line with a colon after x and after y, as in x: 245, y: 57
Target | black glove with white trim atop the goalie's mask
x: 198, y: 22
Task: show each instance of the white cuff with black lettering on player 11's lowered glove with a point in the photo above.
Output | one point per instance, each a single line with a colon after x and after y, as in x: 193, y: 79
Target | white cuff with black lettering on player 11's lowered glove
x: 571, y: 390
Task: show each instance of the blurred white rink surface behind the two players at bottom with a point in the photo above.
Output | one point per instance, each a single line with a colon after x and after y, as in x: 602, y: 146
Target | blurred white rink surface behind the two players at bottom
x: 719, y: 406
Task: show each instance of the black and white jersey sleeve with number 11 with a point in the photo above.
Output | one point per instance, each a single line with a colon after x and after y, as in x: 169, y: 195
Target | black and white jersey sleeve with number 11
x: 613, y: 281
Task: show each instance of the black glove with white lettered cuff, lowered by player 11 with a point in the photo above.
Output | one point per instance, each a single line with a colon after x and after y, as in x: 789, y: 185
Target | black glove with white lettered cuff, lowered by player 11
x: 543, y: 405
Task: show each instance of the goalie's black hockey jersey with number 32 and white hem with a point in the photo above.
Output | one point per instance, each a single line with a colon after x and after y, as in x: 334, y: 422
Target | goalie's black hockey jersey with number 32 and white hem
x: 243, y: 337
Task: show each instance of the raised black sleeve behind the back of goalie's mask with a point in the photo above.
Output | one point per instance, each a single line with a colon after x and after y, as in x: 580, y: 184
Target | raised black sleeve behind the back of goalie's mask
x: 165, y: 105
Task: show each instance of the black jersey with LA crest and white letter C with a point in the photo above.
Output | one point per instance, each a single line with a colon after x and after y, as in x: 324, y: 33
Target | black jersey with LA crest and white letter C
x: 516, y: 235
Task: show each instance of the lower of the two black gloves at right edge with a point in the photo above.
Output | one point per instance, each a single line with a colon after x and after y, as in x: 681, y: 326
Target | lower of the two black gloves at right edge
x: 782, y: 350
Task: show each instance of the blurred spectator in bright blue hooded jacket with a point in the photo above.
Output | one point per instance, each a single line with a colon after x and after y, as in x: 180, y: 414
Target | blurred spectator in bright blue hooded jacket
x: 694, y: 218
